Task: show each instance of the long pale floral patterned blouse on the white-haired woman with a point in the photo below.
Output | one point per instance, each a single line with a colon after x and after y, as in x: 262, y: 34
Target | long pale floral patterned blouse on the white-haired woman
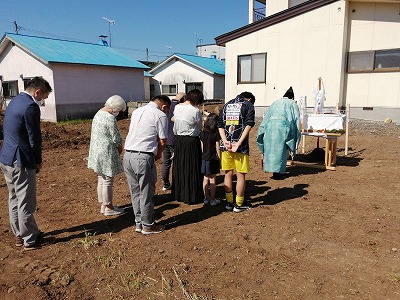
x: 104, y: 142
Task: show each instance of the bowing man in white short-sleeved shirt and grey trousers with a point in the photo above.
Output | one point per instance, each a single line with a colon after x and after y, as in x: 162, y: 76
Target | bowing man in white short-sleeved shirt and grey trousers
x: 144, y: 145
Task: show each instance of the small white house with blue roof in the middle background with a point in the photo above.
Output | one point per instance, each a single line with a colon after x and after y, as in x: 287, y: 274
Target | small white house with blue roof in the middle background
x: 182, y: 73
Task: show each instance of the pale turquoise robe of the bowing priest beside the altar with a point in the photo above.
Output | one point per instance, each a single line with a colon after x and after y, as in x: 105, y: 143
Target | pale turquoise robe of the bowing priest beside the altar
x: 278, y: 132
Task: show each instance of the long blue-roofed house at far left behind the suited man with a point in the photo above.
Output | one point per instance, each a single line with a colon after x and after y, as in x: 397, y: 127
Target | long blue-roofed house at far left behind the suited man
x: 82, y: 75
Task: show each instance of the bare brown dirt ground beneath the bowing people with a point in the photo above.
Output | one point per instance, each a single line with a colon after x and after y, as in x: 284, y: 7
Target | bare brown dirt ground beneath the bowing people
x: 317, y: 234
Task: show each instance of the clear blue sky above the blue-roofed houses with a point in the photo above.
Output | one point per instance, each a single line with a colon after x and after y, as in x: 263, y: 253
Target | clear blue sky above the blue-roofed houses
x: 163, y: 27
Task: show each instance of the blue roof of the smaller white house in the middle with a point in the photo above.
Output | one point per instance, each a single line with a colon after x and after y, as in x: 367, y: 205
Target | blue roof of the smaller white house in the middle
x: 212, y: 65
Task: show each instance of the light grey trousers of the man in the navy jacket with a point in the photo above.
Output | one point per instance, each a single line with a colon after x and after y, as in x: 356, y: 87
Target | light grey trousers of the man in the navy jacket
x: 21, y: 183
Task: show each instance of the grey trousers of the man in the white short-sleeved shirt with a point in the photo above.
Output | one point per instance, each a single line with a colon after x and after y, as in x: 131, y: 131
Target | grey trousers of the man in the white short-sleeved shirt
x: 141, y: 173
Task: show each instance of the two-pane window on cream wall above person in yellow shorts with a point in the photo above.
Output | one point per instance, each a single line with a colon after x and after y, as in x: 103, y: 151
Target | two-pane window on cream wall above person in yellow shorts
x: 252, y: 68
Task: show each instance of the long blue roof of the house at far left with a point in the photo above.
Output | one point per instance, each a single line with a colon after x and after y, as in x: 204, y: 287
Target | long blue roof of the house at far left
x: 62, y: 51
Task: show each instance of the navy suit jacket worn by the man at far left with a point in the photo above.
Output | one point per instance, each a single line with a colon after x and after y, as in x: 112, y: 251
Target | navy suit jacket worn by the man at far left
x: 22, y: 134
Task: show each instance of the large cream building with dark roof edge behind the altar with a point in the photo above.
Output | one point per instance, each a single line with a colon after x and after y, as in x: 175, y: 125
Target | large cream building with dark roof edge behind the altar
x: 353, y: 45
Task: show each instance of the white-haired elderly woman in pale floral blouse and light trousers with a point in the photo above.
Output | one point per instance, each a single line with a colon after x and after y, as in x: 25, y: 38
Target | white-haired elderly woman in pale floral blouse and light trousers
x: 104, y: 152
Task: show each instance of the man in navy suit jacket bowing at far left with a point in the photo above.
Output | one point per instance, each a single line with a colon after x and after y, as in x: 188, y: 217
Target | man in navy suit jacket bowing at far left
x: 21, y: 159
